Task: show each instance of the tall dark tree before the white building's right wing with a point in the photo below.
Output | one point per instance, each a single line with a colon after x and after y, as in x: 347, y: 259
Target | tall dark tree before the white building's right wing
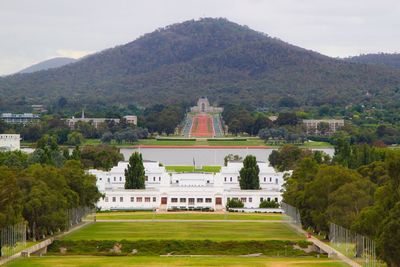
x: 249, y: 174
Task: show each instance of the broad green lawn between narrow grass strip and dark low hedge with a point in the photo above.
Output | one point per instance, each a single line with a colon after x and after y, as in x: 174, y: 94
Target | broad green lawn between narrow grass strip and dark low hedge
x: 216, y: 231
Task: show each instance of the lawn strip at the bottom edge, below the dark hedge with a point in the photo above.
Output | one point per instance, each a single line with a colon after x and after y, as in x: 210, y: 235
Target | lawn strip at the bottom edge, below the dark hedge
x: 91, y: 261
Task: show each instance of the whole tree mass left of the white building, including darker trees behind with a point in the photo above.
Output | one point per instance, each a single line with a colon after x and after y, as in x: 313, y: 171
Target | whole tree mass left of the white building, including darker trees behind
x: 40, y: 188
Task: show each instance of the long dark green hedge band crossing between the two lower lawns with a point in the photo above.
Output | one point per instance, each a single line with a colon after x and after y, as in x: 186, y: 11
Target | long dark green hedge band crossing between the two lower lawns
x: 180, y: 247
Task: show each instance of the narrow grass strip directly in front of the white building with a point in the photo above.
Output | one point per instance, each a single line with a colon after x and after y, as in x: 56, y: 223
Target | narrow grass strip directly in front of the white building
x: 123, y: 215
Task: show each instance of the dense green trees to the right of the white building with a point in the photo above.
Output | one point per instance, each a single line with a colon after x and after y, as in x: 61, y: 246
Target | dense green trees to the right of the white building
x: 358, y: 189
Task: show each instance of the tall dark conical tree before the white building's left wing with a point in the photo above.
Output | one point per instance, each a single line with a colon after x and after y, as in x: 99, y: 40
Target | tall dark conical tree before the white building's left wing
x: 134, y: 174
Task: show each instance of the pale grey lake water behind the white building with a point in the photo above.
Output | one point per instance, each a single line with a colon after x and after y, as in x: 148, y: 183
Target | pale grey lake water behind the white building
x: 201, y: 156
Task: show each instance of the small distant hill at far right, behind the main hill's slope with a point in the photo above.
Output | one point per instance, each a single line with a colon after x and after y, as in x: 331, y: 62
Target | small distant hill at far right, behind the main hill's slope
x: 382, y: 59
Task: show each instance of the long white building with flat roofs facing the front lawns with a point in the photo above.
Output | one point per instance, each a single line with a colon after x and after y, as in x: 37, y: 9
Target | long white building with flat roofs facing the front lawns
x: 170, y: 190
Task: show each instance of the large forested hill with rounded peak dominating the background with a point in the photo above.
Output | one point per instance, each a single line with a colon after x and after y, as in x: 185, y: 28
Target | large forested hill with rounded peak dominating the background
x: 227, y: 62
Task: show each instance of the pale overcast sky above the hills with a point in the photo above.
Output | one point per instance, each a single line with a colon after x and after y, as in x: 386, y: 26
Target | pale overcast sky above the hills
x: 34, y: 30
